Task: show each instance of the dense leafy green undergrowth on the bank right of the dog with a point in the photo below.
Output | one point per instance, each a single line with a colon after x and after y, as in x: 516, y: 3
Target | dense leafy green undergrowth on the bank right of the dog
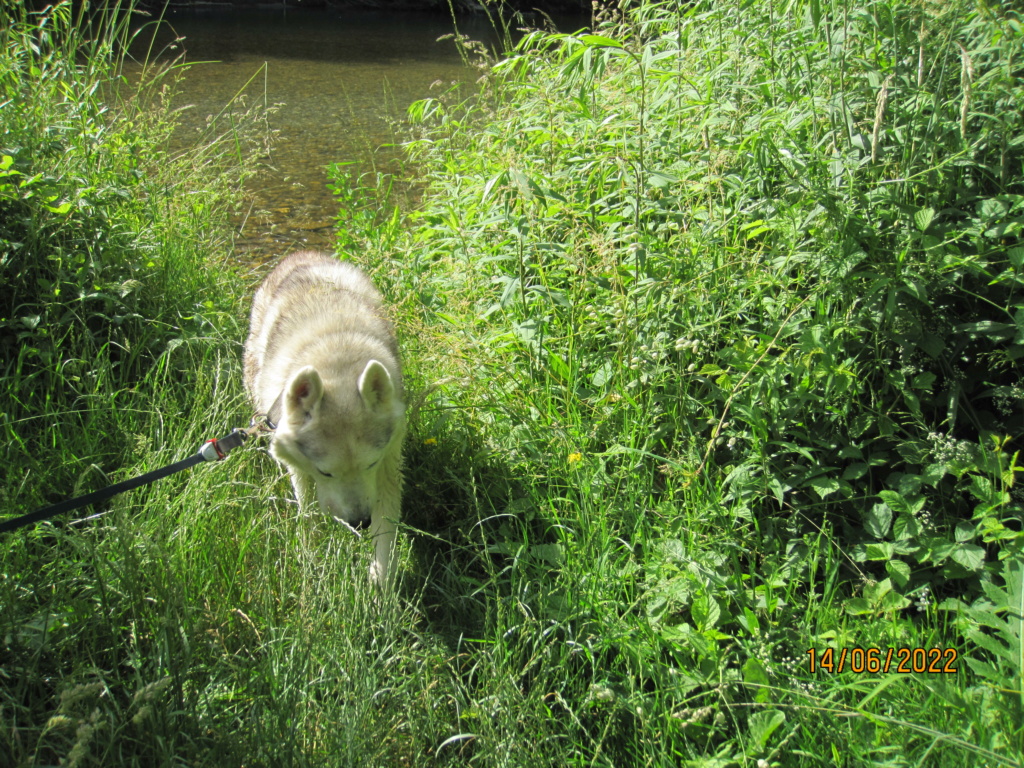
x: 733, y: 296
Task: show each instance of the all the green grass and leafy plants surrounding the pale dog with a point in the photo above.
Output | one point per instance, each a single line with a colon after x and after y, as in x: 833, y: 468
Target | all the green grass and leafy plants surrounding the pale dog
x: 722, y: 311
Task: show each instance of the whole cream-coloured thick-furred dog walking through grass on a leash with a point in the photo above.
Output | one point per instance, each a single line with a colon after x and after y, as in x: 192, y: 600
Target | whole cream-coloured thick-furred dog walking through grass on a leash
x: 320, y: 342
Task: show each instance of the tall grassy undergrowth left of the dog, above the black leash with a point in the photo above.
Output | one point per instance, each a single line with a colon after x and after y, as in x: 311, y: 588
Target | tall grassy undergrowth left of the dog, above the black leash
x: 104, y: 243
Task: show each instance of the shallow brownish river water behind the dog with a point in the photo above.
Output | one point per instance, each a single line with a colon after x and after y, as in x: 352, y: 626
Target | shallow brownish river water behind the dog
x: 340, y: 82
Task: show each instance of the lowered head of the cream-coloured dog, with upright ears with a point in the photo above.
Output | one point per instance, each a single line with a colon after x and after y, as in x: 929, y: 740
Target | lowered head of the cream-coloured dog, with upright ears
x: 339, y: 433
